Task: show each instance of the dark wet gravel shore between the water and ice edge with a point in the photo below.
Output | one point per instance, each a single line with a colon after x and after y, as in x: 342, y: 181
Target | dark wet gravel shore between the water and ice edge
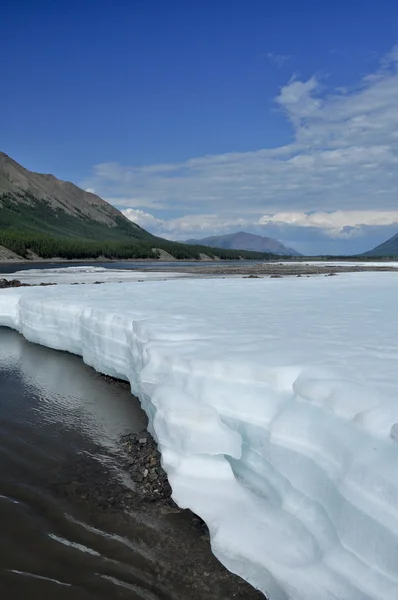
x: 177, y: 539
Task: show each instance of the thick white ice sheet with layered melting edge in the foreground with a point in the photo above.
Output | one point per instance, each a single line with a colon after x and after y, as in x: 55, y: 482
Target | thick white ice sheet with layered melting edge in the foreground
x: 275, y: 406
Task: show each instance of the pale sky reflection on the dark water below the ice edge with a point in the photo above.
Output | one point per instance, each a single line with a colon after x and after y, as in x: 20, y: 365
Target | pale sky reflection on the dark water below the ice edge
x: 63, y: 391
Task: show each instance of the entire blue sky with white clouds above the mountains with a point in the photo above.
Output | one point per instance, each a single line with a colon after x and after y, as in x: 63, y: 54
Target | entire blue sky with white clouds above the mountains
x: 200, y: 118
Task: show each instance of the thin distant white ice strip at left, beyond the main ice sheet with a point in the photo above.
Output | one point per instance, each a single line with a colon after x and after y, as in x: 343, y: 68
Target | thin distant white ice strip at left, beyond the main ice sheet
x: 86, y: 274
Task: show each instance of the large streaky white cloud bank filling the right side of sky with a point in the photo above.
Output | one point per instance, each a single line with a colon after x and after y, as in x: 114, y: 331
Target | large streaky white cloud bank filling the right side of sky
x: 340, y: 171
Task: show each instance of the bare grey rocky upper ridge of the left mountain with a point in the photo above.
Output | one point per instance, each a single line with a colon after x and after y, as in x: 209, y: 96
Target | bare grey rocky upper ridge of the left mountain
x: 60, y: 194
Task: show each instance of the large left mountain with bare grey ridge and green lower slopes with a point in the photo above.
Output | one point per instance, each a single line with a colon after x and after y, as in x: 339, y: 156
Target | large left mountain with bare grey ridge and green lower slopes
x: 42, y: 216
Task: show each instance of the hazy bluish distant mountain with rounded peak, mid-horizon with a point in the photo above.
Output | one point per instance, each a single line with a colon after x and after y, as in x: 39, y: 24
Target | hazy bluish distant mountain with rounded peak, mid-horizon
x: 246, y: 241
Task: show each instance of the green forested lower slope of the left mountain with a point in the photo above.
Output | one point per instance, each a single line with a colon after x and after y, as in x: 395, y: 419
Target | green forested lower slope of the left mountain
x: 31, y: 224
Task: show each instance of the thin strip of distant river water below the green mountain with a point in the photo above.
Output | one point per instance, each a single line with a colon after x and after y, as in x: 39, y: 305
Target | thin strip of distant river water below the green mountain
x: 131, y: 266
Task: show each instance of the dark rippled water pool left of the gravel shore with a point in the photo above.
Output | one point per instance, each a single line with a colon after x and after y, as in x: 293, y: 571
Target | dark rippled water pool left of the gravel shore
x: 53, y: 410
